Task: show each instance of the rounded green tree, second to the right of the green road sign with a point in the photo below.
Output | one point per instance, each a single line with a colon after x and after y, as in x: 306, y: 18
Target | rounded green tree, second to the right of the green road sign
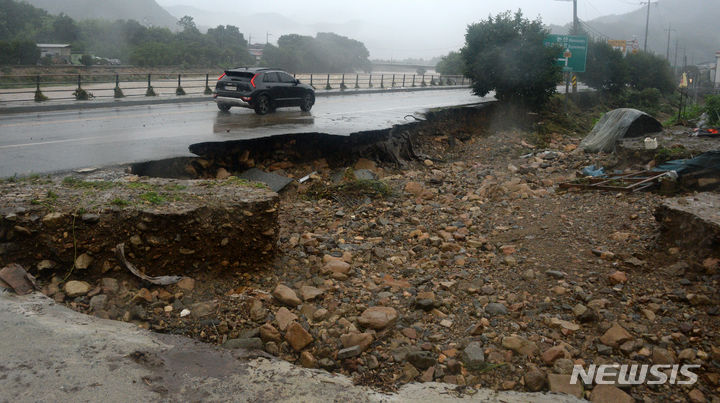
x: 647, y: 70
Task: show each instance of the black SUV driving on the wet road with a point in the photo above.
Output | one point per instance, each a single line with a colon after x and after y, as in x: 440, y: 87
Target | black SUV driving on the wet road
x: 261, y: 89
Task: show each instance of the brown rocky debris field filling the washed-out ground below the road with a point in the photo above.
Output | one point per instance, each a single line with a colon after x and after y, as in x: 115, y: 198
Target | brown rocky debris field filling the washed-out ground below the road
x: 470, y: 268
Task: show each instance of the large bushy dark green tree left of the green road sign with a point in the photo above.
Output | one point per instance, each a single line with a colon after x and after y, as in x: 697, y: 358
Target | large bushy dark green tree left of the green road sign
x: 506, y: 54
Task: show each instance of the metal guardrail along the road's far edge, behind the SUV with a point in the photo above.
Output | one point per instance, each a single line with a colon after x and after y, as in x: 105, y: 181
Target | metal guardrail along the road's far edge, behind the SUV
x: 45, y: 87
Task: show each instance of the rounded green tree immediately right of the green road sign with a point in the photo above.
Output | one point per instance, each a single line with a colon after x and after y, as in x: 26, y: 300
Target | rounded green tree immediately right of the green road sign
x: 607, y: 70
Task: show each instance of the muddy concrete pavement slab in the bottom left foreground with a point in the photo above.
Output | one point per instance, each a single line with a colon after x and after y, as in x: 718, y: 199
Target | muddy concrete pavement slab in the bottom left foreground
x: 50, y: 353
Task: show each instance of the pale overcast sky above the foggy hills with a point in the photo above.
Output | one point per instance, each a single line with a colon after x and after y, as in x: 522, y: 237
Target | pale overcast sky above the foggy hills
x: 406, y: 28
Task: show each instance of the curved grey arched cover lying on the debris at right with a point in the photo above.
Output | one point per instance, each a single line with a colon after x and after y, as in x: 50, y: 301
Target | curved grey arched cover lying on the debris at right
x: 618, y: 124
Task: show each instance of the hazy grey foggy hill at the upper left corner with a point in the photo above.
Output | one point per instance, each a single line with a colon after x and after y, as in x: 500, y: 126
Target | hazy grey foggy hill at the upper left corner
x: 147, y: 12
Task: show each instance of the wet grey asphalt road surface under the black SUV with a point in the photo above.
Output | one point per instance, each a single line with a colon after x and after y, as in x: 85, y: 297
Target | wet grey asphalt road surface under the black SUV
x: 60, y: 141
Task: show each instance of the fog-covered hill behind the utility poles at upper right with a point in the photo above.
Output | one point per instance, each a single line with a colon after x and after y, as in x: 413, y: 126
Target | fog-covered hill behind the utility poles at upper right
x: 696, y: 22
